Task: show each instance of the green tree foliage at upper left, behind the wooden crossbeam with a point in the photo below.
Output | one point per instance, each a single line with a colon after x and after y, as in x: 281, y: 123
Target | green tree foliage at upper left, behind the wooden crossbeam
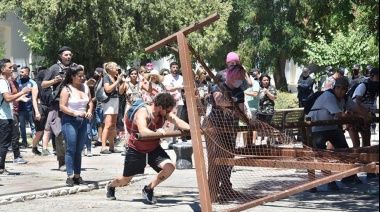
x: 111, y: 30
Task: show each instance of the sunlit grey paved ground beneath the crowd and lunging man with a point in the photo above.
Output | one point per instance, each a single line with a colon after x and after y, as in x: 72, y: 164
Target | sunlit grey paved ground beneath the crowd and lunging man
x: 40, y: 186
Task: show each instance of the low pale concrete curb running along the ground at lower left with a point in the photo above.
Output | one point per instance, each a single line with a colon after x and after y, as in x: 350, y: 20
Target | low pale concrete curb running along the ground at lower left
x: 9, y: 199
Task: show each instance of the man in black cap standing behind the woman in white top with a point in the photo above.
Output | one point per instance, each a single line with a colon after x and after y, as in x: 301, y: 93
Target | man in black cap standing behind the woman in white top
x: 53, y: 79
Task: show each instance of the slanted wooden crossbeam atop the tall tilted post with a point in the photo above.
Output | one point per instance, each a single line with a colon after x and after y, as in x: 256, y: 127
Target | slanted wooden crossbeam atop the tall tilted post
x: 172, y: 38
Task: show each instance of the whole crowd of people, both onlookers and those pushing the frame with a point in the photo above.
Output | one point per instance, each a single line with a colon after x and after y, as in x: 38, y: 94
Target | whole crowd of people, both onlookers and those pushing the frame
x: 61, y: 104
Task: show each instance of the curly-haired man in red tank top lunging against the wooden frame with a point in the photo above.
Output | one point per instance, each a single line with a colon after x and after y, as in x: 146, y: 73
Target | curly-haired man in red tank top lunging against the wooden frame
x: 148, y: 119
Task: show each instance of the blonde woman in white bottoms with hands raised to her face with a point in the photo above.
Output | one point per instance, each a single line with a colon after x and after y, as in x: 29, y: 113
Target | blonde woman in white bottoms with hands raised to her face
x: 113, y: 86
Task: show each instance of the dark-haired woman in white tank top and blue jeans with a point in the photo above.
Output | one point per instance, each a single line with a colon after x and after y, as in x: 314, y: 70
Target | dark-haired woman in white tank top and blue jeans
x: 76, y: 108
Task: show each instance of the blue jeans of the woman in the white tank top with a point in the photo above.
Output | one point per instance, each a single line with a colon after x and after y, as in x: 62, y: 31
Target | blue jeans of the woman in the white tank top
x: 74, y: 130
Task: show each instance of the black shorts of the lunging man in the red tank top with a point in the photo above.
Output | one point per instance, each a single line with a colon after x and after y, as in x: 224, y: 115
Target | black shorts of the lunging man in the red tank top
x: 135, y: 161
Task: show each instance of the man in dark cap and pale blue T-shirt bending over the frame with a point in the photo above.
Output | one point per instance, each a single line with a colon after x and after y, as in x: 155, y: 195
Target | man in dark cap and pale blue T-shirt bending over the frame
x: 328, y: 106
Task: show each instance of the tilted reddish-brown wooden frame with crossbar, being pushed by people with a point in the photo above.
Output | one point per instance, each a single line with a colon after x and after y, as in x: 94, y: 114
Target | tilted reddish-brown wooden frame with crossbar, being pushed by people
x: 206, y: 199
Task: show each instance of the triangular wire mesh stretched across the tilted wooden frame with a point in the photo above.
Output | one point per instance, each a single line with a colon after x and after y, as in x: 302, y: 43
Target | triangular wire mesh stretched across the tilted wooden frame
x: 242, y: 169
